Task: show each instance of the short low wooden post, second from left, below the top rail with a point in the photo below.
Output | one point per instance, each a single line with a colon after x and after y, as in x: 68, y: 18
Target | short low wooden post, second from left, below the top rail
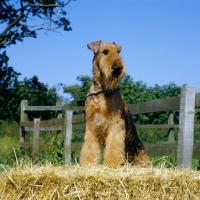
x: 36, y: 133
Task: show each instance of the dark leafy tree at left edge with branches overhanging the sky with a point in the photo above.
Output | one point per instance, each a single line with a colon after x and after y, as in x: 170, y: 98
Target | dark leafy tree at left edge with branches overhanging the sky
x: 17, y: 17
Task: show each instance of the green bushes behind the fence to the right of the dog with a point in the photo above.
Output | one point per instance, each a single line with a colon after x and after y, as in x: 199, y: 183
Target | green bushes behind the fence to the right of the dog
x: 136, y: 92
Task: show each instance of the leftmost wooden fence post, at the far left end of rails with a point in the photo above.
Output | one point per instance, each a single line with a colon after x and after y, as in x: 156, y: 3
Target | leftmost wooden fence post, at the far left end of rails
x: 23, y: 118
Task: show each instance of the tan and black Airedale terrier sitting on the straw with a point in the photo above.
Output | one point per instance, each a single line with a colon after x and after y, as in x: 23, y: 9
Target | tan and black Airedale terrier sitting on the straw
x: 108, y: 120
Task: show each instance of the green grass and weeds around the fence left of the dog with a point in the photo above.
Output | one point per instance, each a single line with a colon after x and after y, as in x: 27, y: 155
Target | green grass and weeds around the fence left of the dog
x: 10, y: 153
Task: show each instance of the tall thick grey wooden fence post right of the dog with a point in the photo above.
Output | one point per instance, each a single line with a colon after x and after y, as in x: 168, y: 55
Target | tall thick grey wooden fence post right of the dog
x: 186, y: 127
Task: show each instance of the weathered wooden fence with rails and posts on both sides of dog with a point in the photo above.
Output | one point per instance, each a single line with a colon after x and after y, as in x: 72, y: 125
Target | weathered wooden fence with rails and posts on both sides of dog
x: 77, y: 122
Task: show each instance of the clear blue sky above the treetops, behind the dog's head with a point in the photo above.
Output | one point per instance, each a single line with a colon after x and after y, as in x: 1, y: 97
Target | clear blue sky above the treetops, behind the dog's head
x: 160, y: 42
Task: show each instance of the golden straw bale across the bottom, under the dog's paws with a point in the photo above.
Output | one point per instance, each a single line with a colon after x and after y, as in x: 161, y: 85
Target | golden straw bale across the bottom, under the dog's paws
x: 98, y: 182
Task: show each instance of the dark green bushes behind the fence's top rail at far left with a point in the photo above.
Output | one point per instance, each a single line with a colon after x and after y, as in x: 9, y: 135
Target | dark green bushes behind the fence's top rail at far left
x: 35, y: 92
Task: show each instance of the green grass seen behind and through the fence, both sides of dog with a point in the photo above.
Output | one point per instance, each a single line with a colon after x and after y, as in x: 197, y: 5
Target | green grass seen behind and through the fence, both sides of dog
x: 11, y: 155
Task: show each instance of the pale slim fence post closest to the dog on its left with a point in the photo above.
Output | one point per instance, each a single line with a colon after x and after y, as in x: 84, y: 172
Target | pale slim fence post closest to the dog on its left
x: 68, y: 136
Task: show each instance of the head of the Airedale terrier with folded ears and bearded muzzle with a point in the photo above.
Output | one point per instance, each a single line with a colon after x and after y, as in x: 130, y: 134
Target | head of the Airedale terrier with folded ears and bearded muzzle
x: 108, y: 67
